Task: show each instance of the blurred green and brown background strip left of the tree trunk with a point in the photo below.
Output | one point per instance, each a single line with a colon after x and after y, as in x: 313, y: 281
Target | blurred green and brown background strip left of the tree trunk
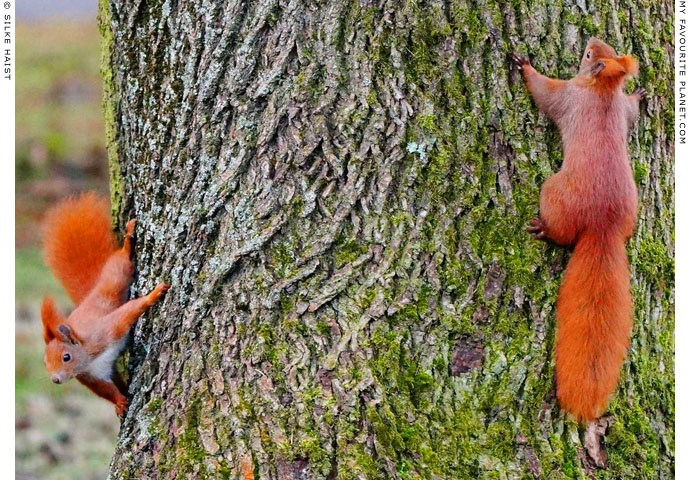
x: 61, y: 432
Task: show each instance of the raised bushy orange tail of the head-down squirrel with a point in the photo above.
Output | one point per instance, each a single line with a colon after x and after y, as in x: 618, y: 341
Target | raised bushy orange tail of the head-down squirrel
x: 77, y: 241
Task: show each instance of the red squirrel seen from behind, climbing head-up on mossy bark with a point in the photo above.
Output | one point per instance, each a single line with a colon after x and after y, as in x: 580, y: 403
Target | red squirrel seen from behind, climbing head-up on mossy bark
x: 591, y: 205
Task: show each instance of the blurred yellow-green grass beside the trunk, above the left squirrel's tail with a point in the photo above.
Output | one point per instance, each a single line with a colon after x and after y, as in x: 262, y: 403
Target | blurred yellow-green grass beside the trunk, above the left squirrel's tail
x: 58, y: 95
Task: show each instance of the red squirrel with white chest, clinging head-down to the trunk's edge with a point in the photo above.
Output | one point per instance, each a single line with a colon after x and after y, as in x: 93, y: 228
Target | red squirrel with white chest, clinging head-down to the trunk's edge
x: 81, y: 250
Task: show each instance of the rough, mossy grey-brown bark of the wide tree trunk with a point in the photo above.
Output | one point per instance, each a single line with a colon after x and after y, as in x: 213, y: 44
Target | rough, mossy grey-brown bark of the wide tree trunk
x: 338, y: 193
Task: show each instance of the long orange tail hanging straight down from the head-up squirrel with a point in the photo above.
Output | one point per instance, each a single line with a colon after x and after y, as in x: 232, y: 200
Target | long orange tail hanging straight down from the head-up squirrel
x: 594, y: 321
